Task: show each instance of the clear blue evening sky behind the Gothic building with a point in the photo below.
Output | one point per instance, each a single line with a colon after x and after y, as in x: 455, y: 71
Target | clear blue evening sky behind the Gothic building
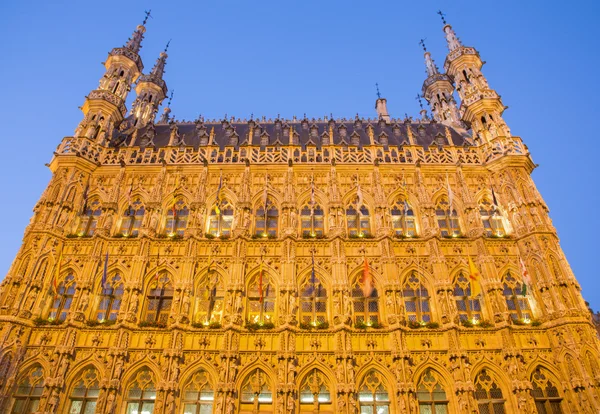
x: 313, y: 57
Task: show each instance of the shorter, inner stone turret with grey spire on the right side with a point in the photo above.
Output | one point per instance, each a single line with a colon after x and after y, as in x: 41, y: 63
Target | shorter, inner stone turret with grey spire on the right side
x: 439, y: 93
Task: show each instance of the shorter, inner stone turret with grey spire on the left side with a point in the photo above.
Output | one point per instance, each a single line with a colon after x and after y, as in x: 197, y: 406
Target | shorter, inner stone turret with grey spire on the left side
x: 151, y: 90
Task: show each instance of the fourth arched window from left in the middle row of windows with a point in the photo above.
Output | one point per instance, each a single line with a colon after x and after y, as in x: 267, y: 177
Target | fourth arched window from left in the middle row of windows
x: 210, y: 299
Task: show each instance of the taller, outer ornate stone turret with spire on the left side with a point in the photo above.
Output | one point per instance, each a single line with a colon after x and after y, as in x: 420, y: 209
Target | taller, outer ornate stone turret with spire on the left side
x: 104, y: 108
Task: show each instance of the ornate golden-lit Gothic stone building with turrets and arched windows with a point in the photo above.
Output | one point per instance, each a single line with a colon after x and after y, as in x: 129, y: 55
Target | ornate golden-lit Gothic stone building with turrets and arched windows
x: 304, y: 265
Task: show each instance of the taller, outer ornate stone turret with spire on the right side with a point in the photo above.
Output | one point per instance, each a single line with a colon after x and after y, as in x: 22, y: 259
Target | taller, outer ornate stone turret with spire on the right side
x: 481, y: 107
